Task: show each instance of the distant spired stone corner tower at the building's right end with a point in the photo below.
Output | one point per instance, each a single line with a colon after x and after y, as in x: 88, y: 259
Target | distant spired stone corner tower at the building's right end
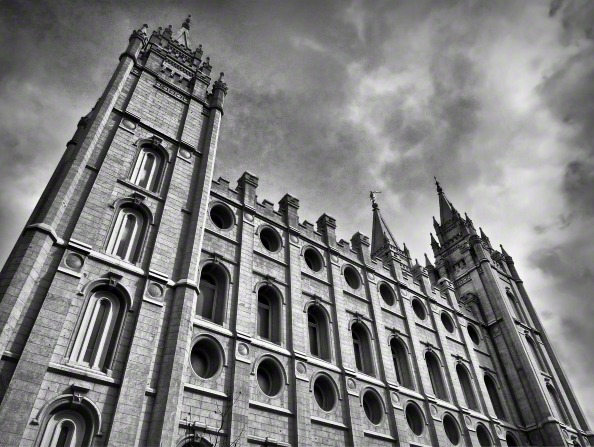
x: 491, y: 293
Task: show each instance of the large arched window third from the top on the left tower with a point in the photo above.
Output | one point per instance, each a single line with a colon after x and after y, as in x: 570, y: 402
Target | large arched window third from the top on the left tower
x: 97, y: 335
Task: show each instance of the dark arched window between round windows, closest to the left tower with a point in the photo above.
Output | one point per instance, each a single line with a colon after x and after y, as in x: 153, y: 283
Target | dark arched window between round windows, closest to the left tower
x: 213, y: 293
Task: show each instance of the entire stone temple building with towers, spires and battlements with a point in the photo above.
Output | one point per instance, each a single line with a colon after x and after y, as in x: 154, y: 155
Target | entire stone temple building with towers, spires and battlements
x: 147, y: 304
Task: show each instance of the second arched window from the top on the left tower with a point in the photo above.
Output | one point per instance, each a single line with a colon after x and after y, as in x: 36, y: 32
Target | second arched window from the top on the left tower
x: 127, y: 234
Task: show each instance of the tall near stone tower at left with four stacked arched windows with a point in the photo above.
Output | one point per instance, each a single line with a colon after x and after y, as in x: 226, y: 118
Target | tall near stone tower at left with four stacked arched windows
x: 103, y: 278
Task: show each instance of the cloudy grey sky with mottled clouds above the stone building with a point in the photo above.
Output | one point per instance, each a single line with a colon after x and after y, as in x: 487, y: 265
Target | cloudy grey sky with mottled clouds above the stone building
x: 331, y: 99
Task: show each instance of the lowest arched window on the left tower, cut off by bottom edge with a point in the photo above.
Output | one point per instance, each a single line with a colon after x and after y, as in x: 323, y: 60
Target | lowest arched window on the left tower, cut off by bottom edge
x: 66, y: 428
